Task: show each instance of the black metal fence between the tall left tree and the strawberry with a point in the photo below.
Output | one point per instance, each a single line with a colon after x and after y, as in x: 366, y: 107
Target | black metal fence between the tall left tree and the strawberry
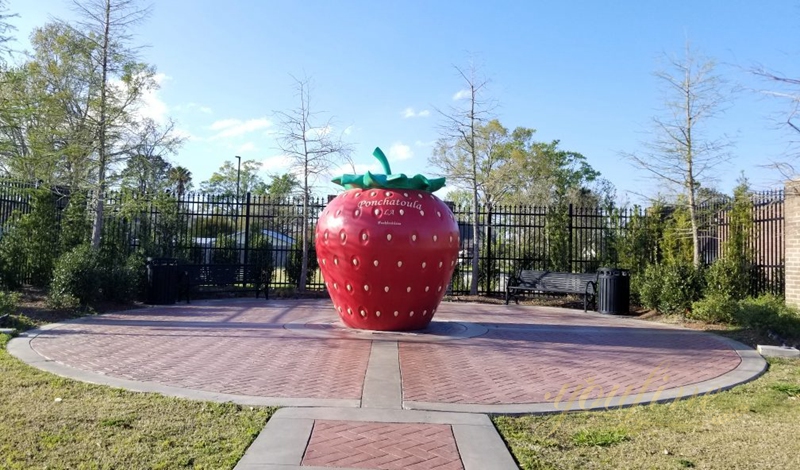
x: 208, y: 229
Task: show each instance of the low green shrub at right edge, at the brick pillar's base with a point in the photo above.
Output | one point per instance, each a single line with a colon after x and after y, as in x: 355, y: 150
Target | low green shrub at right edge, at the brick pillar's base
x: 769, y: 313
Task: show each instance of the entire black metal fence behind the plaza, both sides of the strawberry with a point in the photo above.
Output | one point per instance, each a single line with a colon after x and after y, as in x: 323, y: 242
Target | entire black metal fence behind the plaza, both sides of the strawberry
x: 207, y: 229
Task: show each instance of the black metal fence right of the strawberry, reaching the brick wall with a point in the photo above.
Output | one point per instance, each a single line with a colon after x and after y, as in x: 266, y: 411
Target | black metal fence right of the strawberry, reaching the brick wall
x: 582, y: 239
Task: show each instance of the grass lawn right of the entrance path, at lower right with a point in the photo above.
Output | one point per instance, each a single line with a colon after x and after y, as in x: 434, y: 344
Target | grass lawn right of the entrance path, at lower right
x: 753, y: 426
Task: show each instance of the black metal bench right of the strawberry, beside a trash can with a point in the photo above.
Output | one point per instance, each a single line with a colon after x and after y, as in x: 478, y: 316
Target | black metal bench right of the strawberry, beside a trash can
x: 553, y: 282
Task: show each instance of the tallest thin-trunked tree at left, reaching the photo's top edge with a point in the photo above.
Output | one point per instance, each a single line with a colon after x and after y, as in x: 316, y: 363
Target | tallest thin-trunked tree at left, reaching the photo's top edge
x: 108, y: 24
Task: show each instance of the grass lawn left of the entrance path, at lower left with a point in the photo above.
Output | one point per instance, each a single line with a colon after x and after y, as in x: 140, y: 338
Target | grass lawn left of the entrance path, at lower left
x: 50, y: 422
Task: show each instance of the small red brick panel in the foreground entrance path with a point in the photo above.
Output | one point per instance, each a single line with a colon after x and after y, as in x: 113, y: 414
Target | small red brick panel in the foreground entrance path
x: 382, y: 446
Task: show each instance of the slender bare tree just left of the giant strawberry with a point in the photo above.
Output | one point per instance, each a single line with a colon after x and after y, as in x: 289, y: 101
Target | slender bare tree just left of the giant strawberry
x: 313, y: 150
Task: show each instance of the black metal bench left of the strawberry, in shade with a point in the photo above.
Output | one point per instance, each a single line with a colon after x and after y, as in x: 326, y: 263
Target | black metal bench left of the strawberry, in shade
x: 196, y: 278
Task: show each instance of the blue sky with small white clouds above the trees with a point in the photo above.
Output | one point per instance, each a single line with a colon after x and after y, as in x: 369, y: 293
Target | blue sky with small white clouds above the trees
x: 577, y: 71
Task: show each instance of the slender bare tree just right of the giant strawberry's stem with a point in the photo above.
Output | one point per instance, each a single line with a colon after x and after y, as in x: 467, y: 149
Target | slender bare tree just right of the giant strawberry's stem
x: 461, y: 150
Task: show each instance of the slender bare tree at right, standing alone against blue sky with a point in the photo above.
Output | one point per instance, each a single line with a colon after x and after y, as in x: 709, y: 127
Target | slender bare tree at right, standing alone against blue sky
x: 680, y: 153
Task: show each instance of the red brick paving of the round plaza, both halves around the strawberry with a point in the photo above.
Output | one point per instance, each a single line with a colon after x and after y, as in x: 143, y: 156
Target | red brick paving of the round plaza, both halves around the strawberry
x: 242, y: 348
